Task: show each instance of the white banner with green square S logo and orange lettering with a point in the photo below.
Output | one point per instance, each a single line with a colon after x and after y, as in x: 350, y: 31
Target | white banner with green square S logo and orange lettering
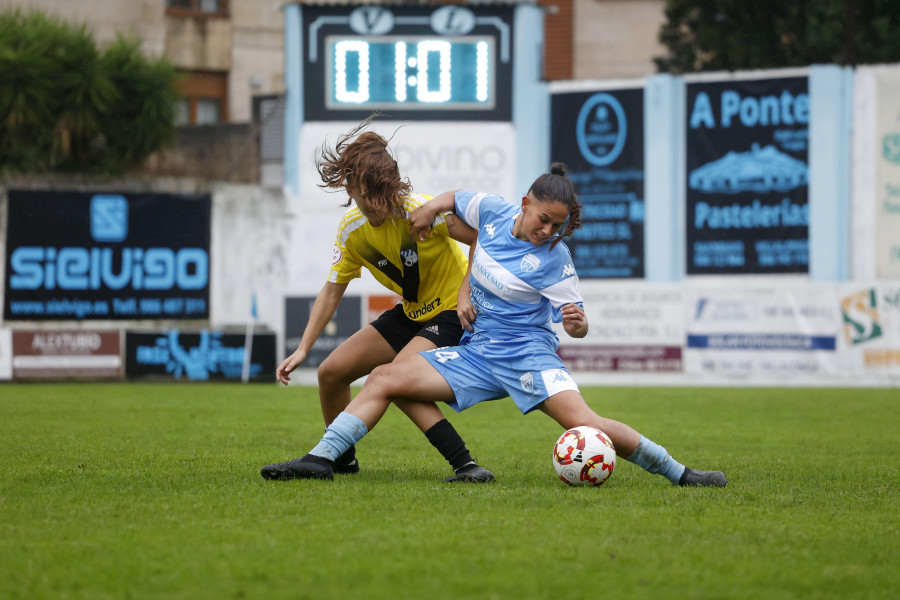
x: 871, y: 328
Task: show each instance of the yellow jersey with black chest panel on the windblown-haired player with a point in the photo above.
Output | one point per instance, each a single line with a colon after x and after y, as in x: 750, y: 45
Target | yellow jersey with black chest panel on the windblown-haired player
x: 426, y: 274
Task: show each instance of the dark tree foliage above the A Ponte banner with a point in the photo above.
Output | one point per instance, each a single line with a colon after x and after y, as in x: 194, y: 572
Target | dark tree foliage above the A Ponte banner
x: 727, y: 35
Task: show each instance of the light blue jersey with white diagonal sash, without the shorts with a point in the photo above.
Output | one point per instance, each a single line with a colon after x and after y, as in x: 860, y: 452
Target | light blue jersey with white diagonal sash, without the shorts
x: 517, y: 287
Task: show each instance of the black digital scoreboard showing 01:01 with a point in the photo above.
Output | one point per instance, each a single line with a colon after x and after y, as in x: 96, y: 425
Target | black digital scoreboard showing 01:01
x: 414, y: 63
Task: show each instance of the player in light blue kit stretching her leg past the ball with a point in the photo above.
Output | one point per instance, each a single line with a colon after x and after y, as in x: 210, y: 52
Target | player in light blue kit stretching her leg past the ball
x: 521, y: 279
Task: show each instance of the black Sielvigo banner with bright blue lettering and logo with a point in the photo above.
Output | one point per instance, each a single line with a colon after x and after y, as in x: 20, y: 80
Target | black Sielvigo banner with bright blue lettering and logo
x: 82, y: 256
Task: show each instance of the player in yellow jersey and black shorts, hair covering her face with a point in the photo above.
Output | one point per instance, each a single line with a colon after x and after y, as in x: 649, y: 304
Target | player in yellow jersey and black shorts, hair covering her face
x: 375, y: 233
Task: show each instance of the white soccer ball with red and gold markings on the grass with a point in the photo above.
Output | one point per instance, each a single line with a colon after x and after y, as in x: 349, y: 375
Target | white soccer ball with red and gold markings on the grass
x: 584, y: 456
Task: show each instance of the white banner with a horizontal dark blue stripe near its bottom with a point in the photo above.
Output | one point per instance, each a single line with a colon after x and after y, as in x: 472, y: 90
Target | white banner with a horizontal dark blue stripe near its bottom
x: 770, y: 334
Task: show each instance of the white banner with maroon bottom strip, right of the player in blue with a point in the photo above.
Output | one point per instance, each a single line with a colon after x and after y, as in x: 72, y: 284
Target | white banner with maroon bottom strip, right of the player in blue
x: 633, y: 328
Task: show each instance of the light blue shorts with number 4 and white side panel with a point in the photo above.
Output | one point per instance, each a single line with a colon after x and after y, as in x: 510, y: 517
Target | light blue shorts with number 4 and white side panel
x: 527, y: 371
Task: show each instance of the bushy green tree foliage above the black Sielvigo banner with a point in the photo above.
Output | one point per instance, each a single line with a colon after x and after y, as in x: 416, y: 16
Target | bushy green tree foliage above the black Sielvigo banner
x: 66, y: 105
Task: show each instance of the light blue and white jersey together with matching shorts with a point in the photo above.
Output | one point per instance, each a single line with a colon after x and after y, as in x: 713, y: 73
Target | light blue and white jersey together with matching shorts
x: 517, y: 288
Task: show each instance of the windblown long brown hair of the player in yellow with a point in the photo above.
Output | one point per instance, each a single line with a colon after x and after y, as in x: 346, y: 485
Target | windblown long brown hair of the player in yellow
x: 364, y: 163
